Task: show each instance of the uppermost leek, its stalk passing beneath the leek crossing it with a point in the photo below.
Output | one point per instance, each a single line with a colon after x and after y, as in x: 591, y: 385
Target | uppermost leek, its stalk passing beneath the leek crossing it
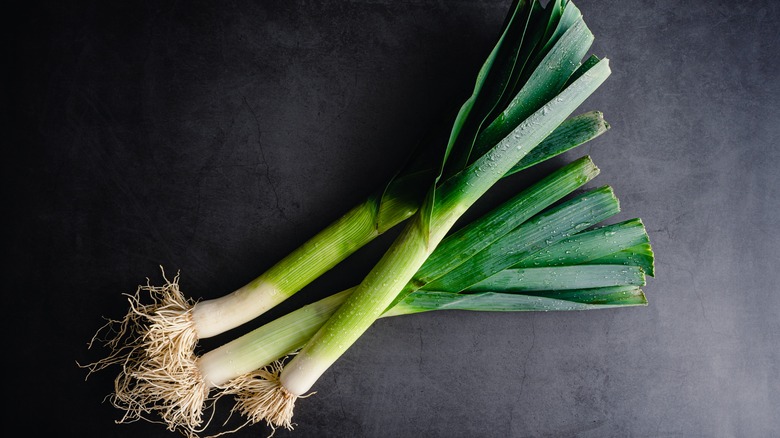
x: 538, y: 53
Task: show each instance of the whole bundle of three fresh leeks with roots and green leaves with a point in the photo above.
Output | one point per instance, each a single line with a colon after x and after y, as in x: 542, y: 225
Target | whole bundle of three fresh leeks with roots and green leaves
x: 526, y: 255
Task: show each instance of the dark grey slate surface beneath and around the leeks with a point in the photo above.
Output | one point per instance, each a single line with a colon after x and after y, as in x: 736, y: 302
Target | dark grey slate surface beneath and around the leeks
x: 213, y: 138
